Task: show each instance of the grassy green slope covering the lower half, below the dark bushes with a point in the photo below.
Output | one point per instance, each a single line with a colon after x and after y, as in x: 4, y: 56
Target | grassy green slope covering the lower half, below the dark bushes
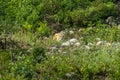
x: 43, y: 62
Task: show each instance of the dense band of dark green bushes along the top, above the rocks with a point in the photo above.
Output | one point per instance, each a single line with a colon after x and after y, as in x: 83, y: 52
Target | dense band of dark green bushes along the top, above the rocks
x: 73, y: 12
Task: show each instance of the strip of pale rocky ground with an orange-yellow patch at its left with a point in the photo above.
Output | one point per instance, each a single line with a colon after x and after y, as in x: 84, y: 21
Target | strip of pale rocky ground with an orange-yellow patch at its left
x: 72, y: 40
